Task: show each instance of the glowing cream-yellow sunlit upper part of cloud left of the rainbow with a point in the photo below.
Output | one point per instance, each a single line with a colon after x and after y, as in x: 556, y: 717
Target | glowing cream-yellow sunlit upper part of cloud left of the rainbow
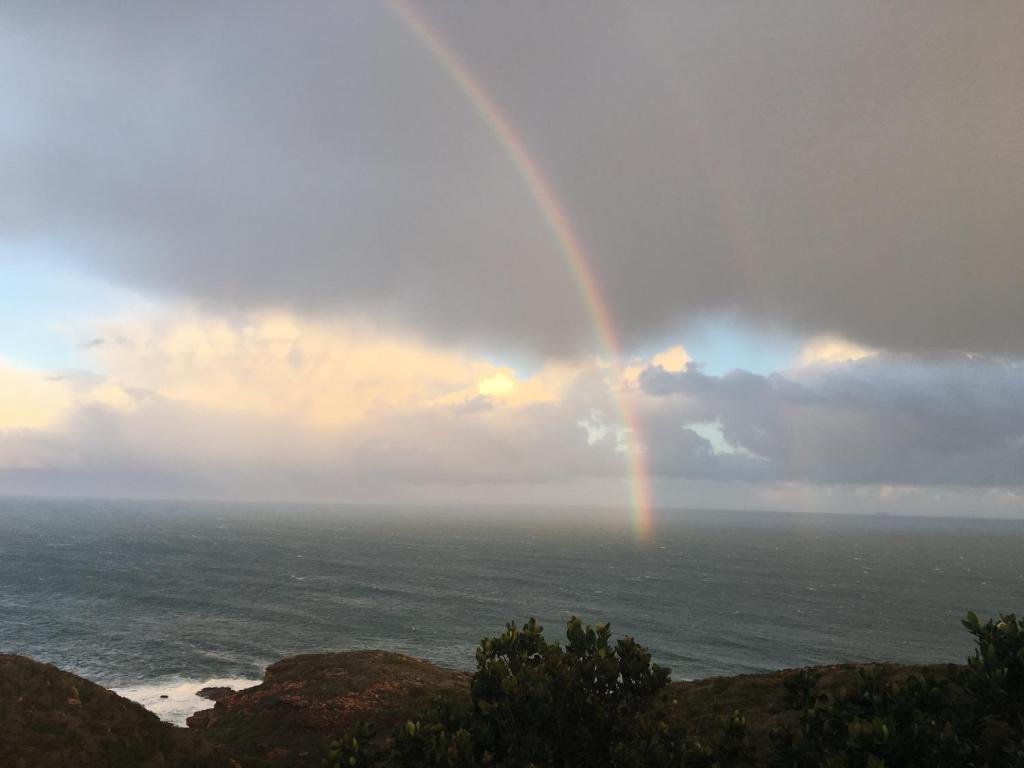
x: 323, y: 374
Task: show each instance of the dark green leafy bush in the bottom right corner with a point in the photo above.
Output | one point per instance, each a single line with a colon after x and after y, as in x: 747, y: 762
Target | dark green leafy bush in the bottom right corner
x: 972, y: 716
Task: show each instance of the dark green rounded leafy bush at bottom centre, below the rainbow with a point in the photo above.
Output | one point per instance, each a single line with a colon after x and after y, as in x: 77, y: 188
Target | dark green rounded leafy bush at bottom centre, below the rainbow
x: 593, y: 702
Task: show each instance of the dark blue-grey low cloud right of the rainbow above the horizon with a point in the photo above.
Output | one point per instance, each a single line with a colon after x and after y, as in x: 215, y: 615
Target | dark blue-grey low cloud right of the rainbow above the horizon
x: 880, y: 420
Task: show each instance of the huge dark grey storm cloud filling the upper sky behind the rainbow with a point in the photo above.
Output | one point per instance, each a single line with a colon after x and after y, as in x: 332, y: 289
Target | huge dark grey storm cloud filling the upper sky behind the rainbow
x: 832, y: 166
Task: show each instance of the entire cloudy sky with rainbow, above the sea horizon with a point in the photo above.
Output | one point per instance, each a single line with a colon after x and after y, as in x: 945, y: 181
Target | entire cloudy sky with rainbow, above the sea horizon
x: 664, y: 254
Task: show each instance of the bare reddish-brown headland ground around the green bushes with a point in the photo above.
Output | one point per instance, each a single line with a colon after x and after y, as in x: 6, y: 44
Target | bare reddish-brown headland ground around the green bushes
x: 54, y: 718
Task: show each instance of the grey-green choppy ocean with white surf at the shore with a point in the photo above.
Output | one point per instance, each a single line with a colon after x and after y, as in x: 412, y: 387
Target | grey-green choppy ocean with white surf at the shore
x: 161, y: 599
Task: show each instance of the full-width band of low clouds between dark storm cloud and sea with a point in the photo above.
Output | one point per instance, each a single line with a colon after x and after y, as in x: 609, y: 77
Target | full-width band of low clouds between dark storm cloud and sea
x: 271, y: 405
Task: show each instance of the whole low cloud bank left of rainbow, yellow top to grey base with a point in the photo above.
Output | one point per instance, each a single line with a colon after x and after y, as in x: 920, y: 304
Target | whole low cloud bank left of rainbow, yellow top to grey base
x: 269, y: 405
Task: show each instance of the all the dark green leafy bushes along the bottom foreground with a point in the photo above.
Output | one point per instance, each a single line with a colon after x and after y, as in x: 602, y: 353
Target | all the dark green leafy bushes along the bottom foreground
x: 594, y: 702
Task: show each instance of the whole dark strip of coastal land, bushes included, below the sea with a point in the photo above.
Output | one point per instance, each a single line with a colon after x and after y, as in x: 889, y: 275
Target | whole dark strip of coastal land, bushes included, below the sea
x: 589, y: 701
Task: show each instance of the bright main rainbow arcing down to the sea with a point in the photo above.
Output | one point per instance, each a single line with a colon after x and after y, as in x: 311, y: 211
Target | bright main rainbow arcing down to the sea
x: 569, y: 243
